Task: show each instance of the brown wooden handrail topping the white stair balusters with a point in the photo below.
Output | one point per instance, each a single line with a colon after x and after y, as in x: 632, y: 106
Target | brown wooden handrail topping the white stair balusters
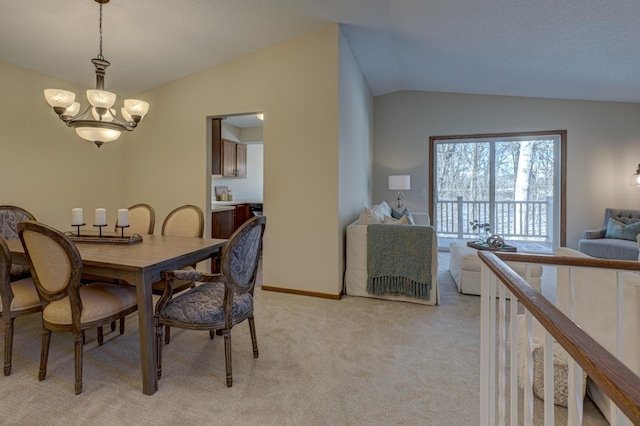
x: 619, y: 382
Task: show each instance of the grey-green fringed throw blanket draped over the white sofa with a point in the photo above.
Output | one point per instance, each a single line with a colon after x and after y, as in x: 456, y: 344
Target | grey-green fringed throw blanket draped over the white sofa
x: 399, y: 260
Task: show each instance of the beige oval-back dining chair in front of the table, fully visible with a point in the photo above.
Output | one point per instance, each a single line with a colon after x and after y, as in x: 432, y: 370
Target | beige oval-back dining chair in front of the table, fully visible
x: 67, y: 305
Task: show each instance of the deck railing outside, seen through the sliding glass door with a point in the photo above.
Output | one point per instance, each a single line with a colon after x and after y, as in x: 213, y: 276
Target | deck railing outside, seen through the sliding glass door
x: 517, y: 220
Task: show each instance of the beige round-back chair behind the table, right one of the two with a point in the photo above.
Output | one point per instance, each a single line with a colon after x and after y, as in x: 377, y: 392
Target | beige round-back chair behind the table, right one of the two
x: 184, y: 221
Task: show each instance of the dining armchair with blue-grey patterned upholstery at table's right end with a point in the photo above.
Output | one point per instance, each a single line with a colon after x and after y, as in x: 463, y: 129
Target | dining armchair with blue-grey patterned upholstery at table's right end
x: 223, y: 300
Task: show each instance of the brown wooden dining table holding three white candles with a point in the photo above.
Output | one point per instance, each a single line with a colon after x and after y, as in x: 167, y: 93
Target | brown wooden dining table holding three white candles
x: 141, y: 265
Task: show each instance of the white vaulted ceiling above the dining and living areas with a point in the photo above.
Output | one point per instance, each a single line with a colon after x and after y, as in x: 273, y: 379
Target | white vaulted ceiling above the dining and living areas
x: 571, y: 49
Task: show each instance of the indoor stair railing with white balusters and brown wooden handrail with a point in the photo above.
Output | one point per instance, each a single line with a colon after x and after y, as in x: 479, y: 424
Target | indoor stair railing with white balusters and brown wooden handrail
x: 612, y: 376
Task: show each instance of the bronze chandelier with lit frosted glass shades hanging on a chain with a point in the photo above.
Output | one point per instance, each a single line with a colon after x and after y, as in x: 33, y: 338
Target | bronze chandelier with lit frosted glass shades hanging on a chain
x: 98, y: 123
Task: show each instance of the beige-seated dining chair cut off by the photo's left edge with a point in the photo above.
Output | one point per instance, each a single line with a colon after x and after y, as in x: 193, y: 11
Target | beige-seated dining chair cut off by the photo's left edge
x: 18, y: 298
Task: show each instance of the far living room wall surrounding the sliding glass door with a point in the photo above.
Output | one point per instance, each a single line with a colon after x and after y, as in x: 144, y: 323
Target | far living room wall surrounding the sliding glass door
x: 603, y: 144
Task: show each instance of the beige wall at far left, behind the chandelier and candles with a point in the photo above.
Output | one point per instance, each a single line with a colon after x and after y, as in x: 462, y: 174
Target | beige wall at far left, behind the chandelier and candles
x: 46, y: 167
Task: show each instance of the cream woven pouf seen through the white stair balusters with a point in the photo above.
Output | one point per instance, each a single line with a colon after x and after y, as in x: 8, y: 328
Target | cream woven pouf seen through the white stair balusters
x: 560, y: 375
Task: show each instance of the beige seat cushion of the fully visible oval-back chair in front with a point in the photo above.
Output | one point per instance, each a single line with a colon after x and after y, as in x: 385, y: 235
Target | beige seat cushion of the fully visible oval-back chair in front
x: 99, y: 300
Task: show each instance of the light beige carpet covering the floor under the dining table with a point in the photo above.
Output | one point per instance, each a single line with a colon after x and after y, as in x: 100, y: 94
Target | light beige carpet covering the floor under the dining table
x: 357, y: 361
